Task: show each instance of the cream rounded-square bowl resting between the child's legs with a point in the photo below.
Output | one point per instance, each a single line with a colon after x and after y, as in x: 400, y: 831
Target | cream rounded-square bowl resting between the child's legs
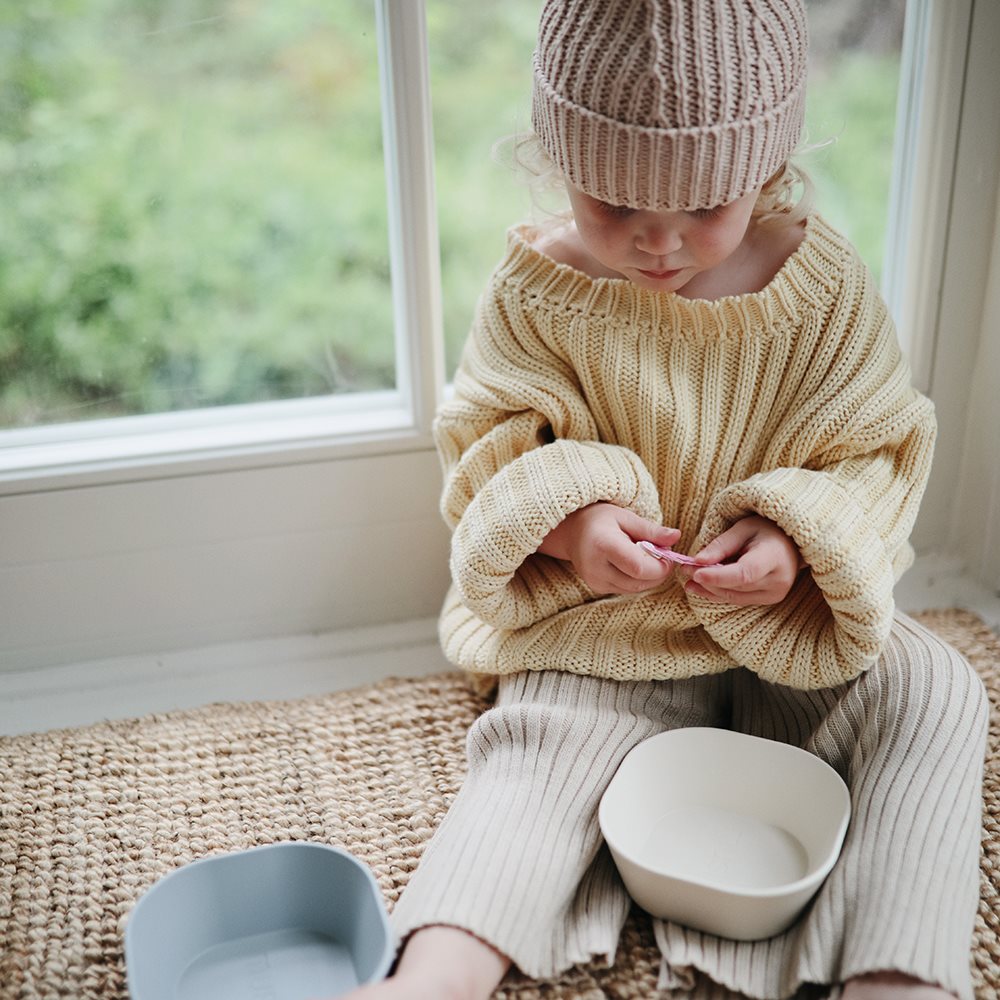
x: 724, y: 832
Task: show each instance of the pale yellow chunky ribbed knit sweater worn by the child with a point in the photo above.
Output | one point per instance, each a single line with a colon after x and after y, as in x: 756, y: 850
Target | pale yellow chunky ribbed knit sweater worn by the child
x: 793, y: 403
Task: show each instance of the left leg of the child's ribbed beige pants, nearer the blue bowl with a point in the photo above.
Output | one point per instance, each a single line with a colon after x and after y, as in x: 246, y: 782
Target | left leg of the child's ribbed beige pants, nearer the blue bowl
x: 519, y: 860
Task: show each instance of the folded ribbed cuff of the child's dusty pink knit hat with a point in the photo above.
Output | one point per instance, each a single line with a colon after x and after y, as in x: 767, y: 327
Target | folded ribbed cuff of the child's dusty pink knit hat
x: 659, y: 168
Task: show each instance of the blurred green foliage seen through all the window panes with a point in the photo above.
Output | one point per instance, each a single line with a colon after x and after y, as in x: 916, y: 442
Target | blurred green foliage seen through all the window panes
x: 193, y: 199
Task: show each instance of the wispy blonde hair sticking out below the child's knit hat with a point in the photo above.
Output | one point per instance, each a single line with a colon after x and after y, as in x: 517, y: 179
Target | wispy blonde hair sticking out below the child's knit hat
x: 785, y: 199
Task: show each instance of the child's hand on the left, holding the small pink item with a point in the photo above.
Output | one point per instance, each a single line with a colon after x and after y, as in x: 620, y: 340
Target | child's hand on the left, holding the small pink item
x: 599, y: 541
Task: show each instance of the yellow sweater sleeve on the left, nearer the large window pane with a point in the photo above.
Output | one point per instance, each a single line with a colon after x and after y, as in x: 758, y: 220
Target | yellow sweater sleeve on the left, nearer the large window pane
x: 520, y: 452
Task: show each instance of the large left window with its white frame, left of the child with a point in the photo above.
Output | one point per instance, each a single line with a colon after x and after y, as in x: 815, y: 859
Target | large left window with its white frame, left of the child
x: 210, y: 215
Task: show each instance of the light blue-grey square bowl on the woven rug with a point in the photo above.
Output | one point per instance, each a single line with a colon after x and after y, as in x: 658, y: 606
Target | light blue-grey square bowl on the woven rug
x: 285, y: 920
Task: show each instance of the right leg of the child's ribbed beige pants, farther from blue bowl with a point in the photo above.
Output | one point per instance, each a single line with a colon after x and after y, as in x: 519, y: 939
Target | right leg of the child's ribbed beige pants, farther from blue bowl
x: 909, y: 739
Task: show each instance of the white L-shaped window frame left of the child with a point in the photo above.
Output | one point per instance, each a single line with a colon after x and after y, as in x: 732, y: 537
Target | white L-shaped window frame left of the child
x: 225, y: 438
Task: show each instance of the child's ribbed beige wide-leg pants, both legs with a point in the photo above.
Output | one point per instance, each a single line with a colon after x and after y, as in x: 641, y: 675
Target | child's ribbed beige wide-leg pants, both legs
x: 520, y: 862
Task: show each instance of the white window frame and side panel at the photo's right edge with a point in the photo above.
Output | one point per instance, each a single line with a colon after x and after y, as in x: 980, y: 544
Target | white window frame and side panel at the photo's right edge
x: 942, y: 290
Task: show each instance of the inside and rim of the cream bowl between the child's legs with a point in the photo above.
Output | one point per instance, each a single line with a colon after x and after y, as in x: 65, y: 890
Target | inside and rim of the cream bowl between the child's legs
x: 726, y: 810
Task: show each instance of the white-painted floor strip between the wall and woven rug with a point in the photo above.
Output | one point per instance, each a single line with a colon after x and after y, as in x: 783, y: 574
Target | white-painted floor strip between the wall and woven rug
x: 297, y: 666
